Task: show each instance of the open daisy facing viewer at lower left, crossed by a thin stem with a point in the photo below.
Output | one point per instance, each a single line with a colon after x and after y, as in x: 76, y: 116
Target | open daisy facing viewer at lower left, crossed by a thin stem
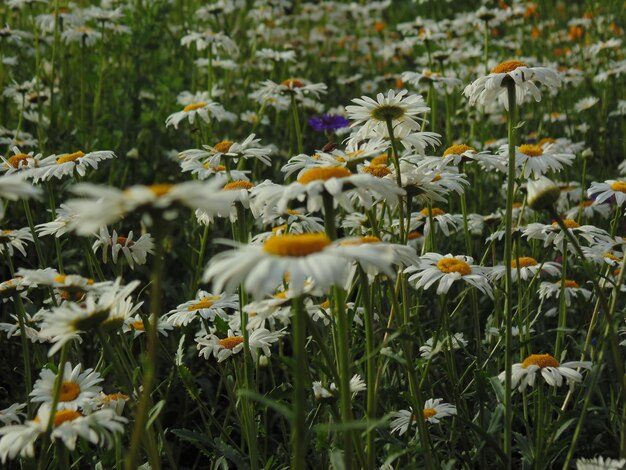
x: 77, y: 389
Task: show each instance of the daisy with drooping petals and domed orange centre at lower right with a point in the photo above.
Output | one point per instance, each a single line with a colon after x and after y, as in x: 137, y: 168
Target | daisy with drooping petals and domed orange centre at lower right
x: 552, y: 371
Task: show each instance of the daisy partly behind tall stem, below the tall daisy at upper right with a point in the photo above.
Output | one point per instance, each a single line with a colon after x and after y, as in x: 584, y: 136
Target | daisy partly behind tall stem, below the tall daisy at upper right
x: 536, y: 161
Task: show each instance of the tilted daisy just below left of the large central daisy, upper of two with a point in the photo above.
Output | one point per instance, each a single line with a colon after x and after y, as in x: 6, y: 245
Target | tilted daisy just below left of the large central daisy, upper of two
x: 205, y: 306
